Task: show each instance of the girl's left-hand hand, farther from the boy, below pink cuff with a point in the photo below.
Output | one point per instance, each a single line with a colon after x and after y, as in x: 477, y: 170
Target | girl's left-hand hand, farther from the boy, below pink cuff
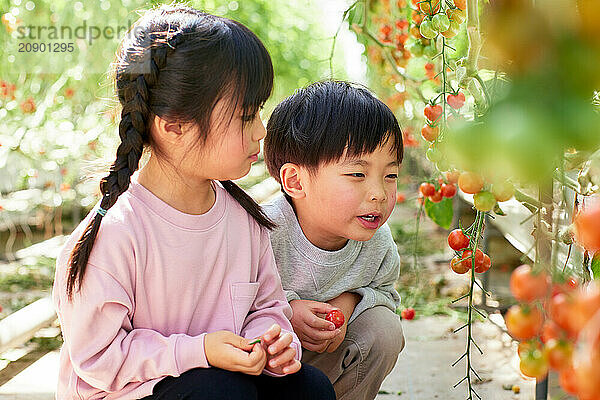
x: 231, y: 352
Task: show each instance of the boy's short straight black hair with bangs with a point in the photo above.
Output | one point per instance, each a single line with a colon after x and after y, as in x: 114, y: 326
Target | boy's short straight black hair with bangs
x: 316, y: 124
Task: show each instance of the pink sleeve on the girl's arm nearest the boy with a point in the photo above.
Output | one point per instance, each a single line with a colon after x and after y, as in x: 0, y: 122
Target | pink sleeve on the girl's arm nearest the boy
x: 270, y: 305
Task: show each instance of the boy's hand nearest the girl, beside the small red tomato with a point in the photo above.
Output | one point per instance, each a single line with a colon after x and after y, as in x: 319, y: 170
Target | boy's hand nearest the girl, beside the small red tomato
x: 312, y: 329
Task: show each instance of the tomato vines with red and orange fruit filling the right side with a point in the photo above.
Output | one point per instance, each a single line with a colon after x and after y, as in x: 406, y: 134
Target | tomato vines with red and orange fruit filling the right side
x: 506, y: 133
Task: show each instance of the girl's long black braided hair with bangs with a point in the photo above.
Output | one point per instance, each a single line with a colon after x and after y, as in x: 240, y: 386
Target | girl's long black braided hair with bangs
x: 177, y: 62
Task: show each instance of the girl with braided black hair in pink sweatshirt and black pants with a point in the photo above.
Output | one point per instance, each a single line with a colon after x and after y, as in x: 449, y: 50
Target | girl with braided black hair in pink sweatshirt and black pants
x: 161, y: 290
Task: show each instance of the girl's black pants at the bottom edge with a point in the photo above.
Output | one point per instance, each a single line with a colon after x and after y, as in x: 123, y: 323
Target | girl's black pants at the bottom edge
x: 217, y: 384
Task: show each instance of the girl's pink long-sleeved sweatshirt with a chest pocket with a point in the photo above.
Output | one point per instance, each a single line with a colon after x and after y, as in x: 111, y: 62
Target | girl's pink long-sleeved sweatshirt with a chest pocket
x: 157, y: 281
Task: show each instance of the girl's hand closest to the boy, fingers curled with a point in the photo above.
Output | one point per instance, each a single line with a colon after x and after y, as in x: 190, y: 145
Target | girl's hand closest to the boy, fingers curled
x: 280, y: 356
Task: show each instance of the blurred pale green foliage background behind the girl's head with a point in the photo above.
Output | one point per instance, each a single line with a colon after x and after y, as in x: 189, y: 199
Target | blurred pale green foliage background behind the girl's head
x: 58, y: 114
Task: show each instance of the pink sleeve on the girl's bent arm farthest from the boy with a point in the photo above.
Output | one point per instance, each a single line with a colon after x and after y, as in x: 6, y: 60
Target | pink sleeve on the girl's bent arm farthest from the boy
x: 105, y: 350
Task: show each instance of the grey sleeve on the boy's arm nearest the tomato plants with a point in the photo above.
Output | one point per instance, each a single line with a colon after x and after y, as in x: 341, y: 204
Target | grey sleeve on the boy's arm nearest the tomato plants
x: 381, y: 290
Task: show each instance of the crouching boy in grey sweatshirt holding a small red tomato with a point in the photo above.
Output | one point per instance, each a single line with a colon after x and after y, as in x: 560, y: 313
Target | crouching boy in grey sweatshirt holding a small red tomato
x: 335, y: 149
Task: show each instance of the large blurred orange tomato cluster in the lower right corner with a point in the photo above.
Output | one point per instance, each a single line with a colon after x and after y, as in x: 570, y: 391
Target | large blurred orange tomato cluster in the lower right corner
x: 564, y: 337
